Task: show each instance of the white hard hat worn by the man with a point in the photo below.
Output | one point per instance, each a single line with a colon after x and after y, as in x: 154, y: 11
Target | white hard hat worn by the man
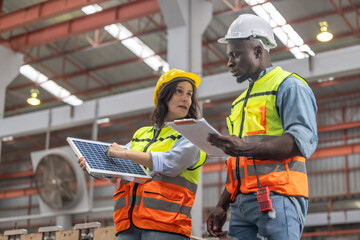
x: 253, y: 26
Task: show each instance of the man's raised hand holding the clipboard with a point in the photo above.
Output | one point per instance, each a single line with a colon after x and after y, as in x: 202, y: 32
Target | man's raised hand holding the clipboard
x: 231, y: 145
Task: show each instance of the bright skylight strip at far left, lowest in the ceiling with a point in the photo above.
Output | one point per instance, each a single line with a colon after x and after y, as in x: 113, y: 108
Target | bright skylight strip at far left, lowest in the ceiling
x: 49, y: 85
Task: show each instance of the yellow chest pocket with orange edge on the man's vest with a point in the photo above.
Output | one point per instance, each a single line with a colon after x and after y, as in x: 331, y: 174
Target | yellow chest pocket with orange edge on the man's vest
x: 255, y: 117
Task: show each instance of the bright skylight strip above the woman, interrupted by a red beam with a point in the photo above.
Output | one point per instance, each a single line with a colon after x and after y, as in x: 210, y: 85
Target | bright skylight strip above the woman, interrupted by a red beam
x: 134, y: 44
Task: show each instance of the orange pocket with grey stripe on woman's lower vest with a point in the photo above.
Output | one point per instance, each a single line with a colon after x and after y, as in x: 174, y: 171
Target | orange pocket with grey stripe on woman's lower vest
x: 163, y: 206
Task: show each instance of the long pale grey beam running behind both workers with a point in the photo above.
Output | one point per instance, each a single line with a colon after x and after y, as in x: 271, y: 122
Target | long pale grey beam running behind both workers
x: 331, y: 63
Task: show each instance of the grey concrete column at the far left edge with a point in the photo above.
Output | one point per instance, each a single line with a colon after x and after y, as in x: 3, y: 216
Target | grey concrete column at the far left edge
x: 10, y: 63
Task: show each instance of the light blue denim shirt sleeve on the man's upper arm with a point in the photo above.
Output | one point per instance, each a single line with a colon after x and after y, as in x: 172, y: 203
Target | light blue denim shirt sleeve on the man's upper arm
x: 297, y: 109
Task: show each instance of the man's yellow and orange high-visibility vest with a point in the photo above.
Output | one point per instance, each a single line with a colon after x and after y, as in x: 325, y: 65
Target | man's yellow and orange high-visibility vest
x: 254, y: 118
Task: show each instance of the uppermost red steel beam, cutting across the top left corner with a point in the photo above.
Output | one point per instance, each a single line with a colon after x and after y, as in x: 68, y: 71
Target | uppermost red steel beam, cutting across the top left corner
x: 40, y: 12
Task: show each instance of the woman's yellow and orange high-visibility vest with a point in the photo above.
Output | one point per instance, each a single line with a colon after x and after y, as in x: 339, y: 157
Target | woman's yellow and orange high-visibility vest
x: 164, y: 203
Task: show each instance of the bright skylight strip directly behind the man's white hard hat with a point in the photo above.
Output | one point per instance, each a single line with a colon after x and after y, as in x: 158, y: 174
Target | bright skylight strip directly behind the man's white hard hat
x: 284, y: 32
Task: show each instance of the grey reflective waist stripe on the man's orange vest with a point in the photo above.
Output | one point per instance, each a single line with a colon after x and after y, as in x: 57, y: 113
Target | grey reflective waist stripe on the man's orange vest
x: 267, y: 168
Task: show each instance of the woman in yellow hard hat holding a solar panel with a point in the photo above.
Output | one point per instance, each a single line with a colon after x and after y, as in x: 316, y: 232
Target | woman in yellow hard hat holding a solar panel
x: 160, y: 208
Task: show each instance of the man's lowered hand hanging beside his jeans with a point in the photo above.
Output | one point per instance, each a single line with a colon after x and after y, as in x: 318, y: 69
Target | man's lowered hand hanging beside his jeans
x: 215, y: 222
